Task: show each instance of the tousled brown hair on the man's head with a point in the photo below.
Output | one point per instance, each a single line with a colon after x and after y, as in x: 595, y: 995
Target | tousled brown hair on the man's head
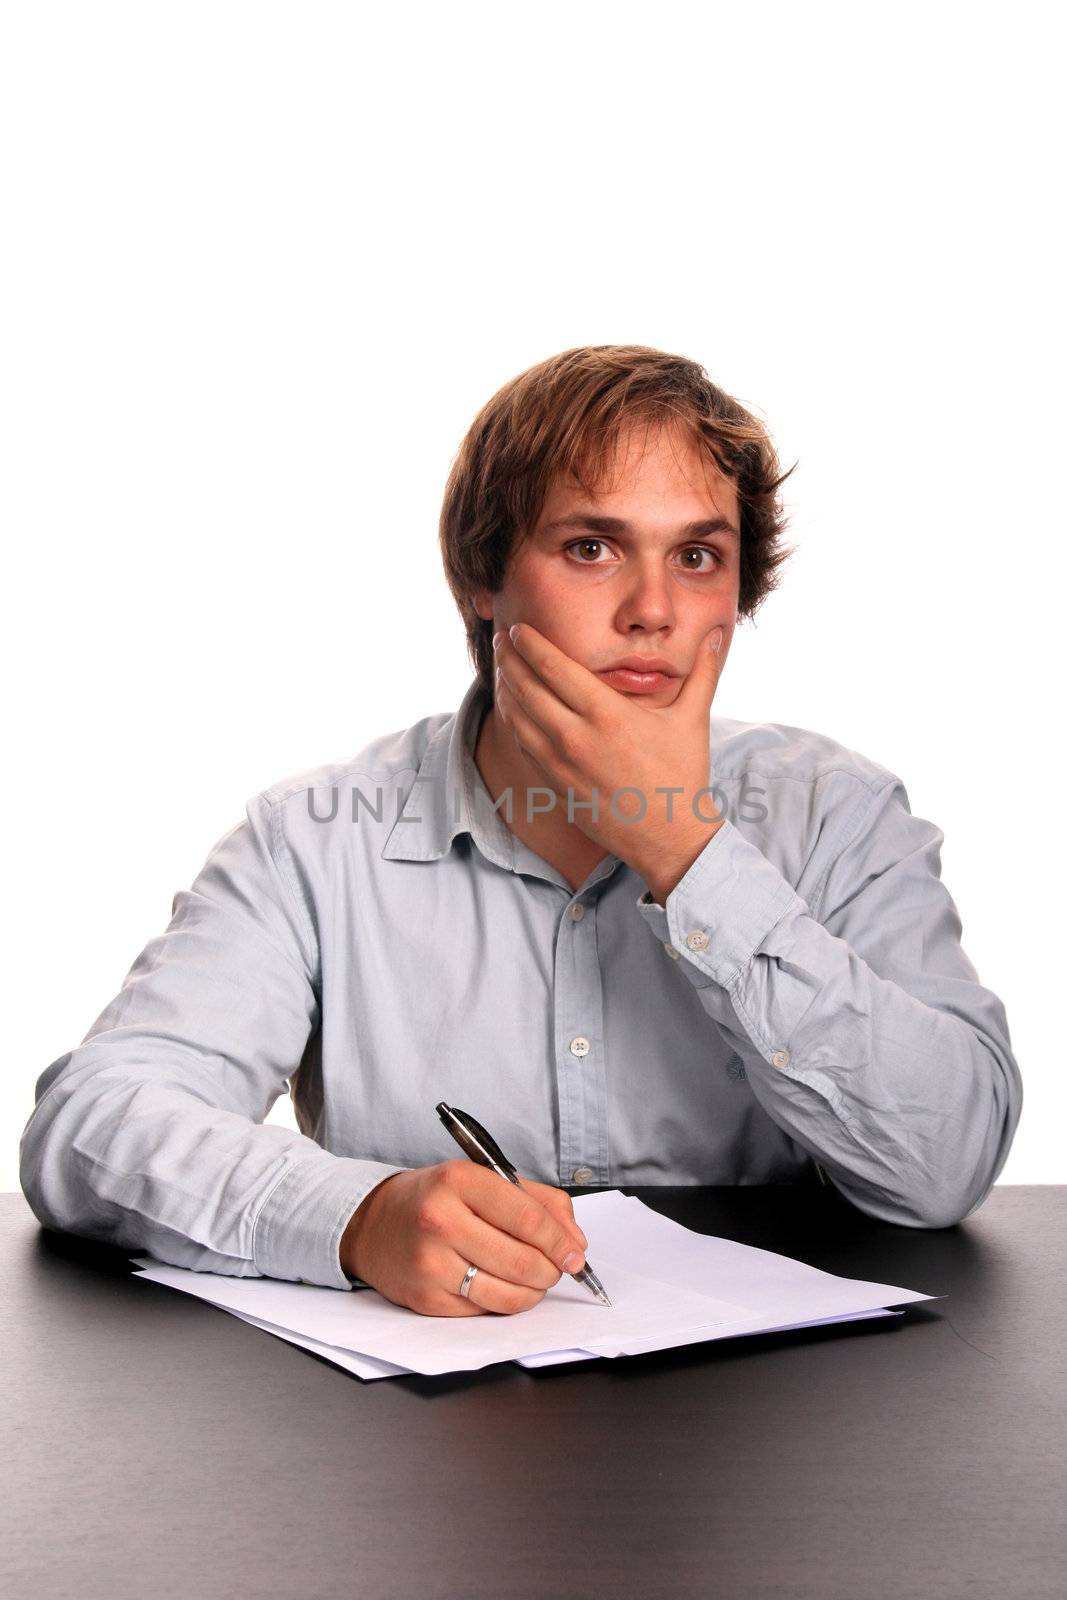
x: 565, y: 415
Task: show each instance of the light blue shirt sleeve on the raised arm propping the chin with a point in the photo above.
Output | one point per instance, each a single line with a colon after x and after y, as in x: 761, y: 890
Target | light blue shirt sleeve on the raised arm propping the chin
x: 863, y: 1025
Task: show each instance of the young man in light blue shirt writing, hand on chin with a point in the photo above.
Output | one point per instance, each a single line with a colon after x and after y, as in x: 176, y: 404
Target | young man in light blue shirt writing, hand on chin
x: 639, y: 942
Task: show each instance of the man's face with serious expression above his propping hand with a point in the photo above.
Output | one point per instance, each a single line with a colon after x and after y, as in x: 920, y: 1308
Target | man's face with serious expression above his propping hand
x: 645, y: 569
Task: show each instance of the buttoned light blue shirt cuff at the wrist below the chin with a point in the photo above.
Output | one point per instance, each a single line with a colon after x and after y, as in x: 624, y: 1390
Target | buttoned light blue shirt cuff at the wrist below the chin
x: 724, y: 908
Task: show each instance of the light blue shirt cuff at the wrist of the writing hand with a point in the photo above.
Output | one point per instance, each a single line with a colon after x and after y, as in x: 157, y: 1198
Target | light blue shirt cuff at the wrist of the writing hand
x: 300, y: 1225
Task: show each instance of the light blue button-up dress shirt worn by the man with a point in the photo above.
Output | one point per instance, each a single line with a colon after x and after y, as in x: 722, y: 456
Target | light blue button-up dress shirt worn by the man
x: 378, y: 940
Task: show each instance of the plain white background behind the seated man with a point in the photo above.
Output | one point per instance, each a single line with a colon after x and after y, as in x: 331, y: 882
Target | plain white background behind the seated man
x: 262, y: 266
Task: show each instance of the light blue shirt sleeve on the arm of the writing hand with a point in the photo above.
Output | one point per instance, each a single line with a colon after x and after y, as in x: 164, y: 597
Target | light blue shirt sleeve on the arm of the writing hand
x: 151, y: 1134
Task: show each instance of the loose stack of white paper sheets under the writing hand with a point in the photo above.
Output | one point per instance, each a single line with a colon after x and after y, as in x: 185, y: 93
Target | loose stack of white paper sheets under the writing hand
x: 668, y: 1287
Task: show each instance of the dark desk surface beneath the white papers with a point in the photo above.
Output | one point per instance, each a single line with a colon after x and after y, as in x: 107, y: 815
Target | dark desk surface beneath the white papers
x: 162, y: 1449
